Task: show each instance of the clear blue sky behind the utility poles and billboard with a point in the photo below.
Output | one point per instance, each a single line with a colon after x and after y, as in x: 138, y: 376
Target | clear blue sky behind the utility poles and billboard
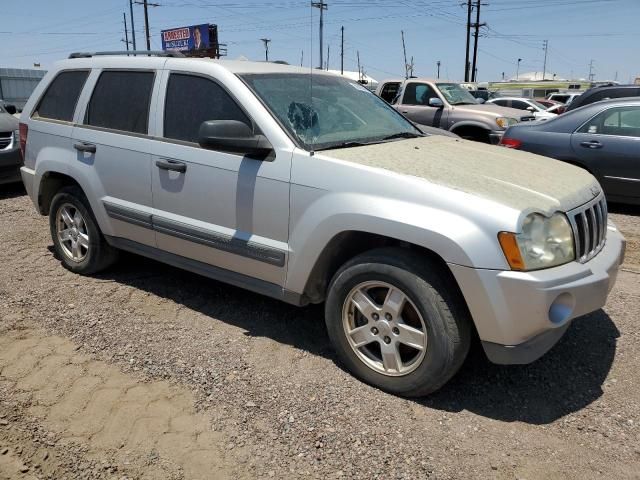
x: 605, y: 31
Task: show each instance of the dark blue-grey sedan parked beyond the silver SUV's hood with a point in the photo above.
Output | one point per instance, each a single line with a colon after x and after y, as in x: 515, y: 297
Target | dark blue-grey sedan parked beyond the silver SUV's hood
x: 603, y: 138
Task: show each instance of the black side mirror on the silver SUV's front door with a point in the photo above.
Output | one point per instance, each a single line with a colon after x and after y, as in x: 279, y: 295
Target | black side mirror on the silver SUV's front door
x: 233, y: 136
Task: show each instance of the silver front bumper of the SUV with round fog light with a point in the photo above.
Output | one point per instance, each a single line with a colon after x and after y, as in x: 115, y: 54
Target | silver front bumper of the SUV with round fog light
x: 521, y: 315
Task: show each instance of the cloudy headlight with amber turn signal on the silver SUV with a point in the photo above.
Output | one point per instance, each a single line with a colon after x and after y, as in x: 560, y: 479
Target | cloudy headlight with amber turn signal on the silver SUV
x: 544, y: 242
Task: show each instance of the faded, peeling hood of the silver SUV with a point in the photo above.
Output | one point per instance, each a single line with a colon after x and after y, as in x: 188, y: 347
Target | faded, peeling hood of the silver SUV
x: 516, y: 179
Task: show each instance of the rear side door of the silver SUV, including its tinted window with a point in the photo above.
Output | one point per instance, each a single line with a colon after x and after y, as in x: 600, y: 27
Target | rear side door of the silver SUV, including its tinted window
x: 113, y: 152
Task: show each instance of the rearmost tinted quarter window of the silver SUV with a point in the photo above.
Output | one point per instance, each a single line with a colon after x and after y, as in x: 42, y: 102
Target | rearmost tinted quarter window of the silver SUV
x: 60, y: 99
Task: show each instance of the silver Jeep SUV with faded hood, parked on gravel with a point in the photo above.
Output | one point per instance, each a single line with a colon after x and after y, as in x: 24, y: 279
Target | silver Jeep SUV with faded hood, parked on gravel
x: 306, y: 187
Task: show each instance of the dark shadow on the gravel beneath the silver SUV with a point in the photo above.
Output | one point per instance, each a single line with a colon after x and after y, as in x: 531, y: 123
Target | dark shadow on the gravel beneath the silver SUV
x: 565, y: 380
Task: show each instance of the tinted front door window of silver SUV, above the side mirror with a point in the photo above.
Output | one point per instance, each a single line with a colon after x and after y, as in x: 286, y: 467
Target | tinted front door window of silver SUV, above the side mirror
x: 192, y: 100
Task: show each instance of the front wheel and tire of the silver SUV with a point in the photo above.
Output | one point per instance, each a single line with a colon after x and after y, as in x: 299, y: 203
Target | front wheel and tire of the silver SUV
x: 398, y: 321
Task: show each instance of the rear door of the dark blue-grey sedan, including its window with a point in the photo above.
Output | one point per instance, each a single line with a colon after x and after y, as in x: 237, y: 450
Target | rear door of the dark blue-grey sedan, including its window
x: 608, y: 145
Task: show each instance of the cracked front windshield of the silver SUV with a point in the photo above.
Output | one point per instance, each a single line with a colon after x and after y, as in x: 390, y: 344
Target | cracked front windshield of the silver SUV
x: 340, y: 113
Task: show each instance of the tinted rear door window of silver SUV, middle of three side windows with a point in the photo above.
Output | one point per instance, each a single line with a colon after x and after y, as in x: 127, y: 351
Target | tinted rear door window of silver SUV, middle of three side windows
x: 121, y: 100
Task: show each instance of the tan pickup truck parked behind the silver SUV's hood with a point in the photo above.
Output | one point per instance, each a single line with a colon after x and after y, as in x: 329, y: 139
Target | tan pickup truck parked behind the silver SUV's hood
x: 446, y: 105
